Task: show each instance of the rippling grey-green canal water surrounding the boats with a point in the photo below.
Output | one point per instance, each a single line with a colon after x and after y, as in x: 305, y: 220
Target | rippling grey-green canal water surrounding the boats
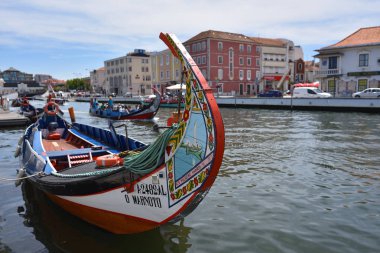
x: 290, y: 182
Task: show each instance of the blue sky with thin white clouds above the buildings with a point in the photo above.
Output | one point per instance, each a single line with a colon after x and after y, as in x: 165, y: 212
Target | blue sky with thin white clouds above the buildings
x: 69, y: 38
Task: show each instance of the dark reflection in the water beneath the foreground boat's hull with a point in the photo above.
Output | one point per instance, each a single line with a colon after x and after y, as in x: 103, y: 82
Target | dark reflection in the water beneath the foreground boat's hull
x: 59, y: 231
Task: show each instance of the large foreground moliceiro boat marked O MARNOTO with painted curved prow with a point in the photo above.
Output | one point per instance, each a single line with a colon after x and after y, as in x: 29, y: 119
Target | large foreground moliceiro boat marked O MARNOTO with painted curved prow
x: 121, y: 184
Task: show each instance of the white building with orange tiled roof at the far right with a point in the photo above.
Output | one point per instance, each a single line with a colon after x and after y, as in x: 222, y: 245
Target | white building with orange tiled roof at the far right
x: 352, y: 64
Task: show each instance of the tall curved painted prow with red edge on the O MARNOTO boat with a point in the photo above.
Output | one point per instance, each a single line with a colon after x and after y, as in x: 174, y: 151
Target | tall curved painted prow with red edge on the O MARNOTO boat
x: 200, y: 134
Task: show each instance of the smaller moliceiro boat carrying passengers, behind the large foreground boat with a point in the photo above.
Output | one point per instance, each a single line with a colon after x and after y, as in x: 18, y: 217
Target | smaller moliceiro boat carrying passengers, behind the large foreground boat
x: 146, y: 112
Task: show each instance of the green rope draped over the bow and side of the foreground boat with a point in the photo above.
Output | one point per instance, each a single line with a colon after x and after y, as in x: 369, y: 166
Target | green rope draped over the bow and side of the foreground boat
x: 137, y: 162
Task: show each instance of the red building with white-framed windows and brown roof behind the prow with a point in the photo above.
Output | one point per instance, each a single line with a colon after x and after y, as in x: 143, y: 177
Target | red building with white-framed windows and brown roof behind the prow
x: 229, y: 61
